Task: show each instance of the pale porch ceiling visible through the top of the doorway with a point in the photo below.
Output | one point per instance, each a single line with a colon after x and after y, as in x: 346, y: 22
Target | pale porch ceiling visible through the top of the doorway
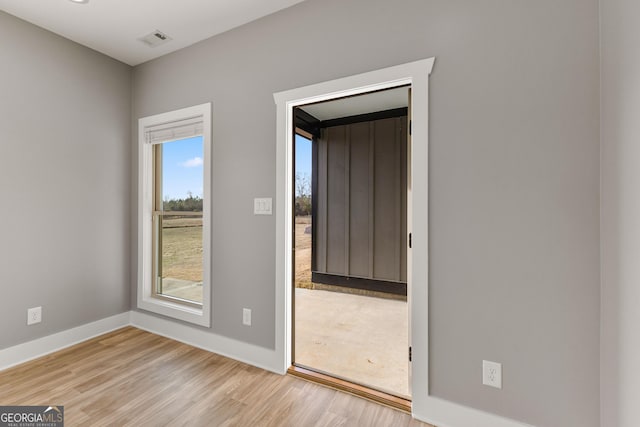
x: 361, y: 104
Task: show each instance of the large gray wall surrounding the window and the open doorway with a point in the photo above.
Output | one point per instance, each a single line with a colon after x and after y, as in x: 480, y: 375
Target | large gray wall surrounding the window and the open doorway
x: 514, y: 178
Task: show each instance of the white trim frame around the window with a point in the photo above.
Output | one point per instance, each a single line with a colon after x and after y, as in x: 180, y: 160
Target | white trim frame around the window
x: 199, y: 316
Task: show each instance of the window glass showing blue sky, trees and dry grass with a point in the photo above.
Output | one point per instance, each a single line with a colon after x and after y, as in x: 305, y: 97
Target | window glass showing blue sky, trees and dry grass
x: 179, y: 254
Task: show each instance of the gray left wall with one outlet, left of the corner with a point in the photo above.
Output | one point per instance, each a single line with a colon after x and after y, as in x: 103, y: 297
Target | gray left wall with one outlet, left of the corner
x: 64, y: 182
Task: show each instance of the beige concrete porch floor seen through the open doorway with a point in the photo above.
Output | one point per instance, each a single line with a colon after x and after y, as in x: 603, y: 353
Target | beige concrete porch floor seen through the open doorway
x: 359, y: 338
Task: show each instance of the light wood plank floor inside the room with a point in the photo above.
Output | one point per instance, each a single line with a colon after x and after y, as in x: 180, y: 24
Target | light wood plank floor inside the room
x: 134, y: 378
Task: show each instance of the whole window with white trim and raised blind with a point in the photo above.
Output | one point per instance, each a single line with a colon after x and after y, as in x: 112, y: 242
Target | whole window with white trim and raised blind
x: 174, y: 214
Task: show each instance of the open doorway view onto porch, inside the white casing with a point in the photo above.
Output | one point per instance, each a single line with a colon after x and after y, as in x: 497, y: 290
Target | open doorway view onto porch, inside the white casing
x: 350, y: 233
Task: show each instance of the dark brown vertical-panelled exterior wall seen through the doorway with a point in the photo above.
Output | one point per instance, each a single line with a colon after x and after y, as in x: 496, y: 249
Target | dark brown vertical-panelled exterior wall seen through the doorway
x: 361, y: 198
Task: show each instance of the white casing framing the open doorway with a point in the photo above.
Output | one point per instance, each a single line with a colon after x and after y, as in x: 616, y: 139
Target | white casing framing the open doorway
x: 415, y: 74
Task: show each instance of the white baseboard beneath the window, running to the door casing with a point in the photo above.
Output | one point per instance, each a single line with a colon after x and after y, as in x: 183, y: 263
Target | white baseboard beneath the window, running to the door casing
x: 248, y: 353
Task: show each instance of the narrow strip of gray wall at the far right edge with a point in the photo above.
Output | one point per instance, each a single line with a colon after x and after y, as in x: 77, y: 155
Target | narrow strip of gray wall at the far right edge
x: 620, y: 374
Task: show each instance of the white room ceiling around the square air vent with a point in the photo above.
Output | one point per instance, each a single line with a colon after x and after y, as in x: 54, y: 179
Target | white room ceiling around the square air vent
x: 113, y: 27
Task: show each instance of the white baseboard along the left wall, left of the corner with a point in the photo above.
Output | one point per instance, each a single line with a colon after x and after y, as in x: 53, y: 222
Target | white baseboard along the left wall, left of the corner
x: 22, y: 353
